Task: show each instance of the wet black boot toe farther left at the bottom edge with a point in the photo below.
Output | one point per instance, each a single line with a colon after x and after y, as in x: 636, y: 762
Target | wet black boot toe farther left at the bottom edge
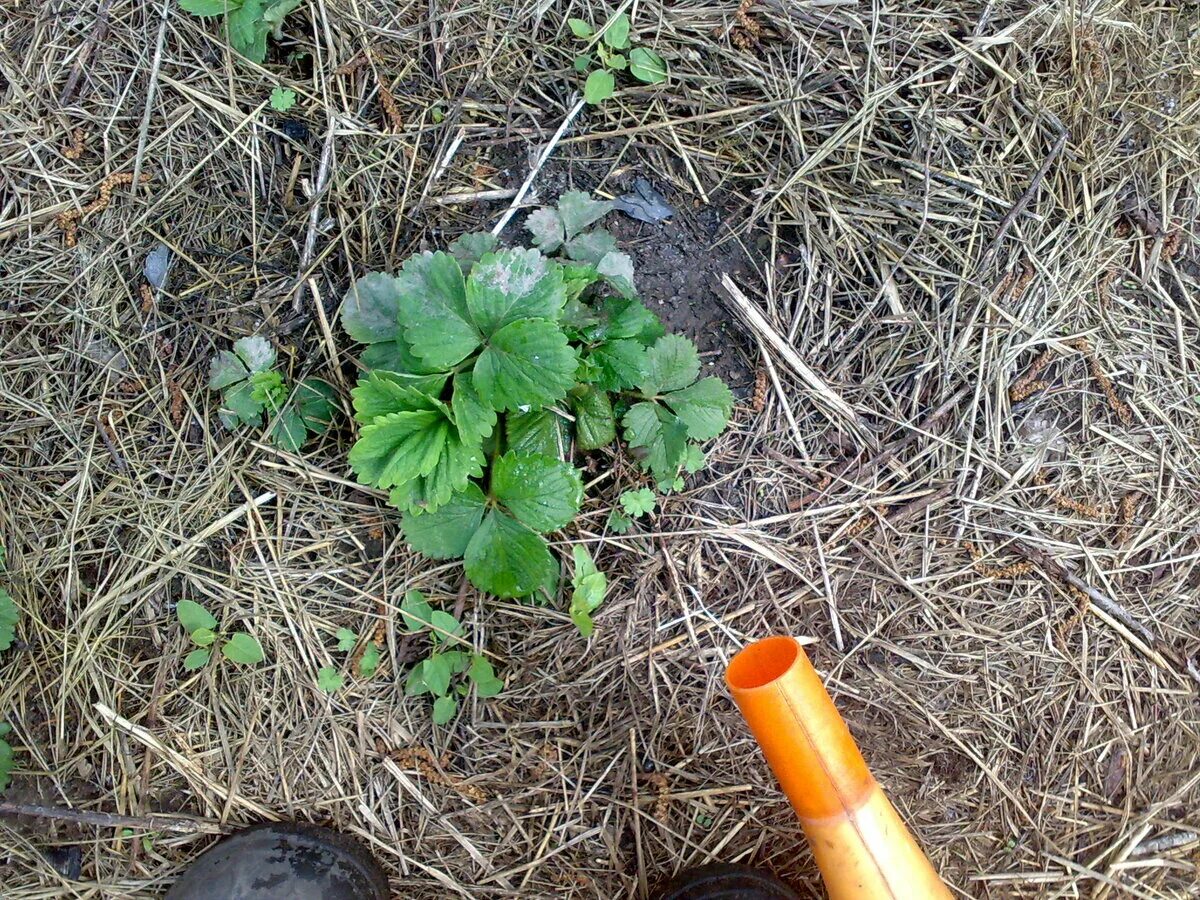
x: 286, y: 861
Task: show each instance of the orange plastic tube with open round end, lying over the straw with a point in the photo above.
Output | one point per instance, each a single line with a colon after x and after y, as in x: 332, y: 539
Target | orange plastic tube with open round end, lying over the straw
x: 860, y: 843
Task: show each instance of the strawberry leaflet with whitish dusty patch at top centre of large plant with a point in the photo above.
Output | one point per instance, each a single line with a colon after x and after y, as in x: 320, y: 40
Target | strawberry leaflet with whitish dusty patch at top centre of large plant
x: 514, y: 285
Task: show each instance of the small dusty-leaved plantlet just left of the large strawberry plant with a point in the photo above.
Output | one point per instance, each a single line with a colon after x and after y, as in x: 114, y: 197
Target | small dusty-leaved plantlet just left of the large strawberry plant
x: 250, y: 388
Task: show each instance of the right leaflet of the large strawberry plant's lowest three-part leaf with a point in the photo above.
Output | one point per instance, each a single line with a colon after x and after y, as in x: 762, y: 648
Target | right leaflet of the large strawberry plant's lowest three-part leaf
x: 543, y: 493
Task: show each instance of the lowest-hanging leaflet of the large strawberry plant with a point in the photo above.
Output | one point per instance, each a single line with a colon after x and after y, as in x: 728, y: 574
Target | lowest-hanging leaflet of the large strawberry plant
x: 509, y: 560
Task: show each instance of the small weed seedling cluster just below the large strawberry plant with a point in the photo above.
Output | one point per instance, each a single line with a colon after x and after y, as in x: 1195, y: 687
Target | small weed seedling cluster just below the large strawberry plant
x: 440, y: 674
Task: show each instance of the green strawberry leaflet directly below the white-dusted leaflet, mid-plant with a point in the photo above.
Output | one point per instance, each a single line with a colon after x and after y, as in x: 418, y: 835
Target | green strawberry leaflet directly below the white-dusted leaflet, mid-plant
x: 527, y: 363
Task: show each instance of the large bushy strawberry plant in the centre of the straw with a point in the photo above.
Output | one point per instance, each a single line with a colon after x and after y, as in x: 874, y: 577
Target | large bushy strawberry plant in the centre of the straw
x: 488, y: 373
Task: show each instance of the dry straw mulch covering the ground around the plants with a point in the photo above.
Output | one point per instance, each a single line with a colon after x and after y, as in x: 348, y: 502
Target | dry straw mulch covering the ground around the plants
x: 940, y: 199
